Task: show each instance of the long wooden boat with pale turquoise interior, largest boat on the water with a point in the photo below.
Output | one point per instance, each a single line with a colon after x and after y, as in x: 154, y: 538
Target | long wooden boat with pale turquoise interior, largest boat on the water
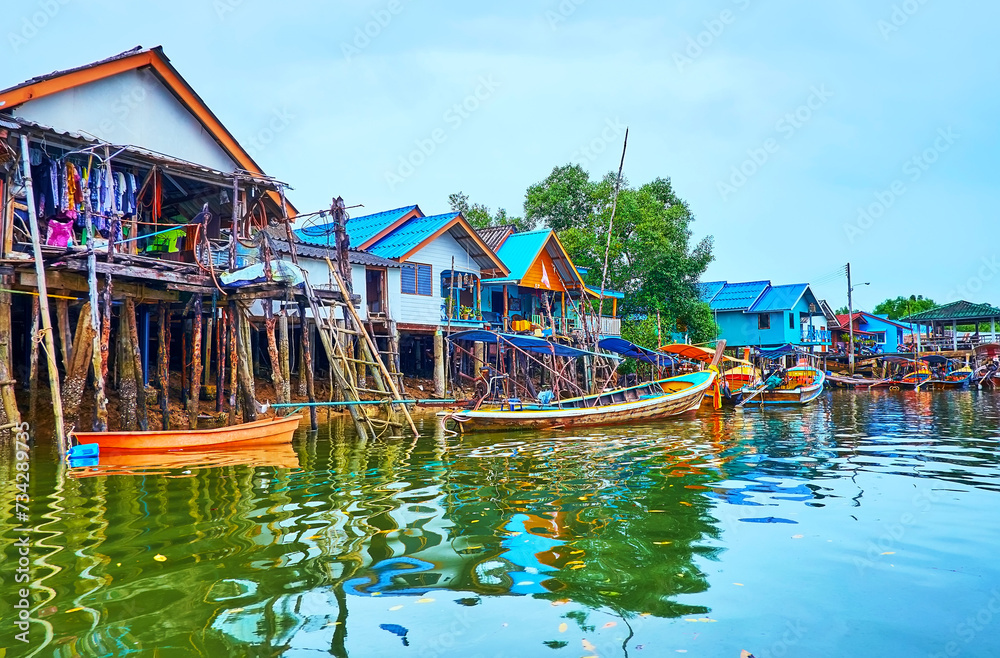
x: 652, y: 401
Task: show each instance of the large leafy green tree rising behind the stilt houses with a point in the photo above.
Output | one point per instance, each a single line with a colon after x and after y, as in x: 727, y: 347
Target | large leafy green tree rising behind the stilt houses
x: 650, y: 256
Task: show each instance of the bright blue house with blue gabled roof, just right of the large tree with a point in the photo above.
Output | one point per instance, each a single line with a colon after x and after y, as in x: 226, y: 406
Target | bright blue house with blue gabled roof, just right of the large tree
x: 759, y: 314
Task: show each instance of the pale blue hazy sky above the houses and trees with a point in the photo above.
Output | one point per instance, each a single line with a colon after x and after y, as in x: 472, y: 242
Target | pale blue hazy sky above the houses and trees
x: 554, y: 79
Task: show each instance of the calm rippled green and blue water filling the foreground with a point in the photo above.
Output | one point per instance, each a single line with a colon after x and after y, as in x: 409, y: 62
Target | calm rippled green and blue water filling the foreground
x: 865, y: 525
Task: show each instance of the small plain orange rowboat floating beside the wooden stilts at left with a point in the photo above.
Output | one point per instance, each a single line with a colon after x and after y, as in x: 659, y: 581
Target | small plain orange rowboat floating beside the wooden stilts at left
x: 268, y: 431
